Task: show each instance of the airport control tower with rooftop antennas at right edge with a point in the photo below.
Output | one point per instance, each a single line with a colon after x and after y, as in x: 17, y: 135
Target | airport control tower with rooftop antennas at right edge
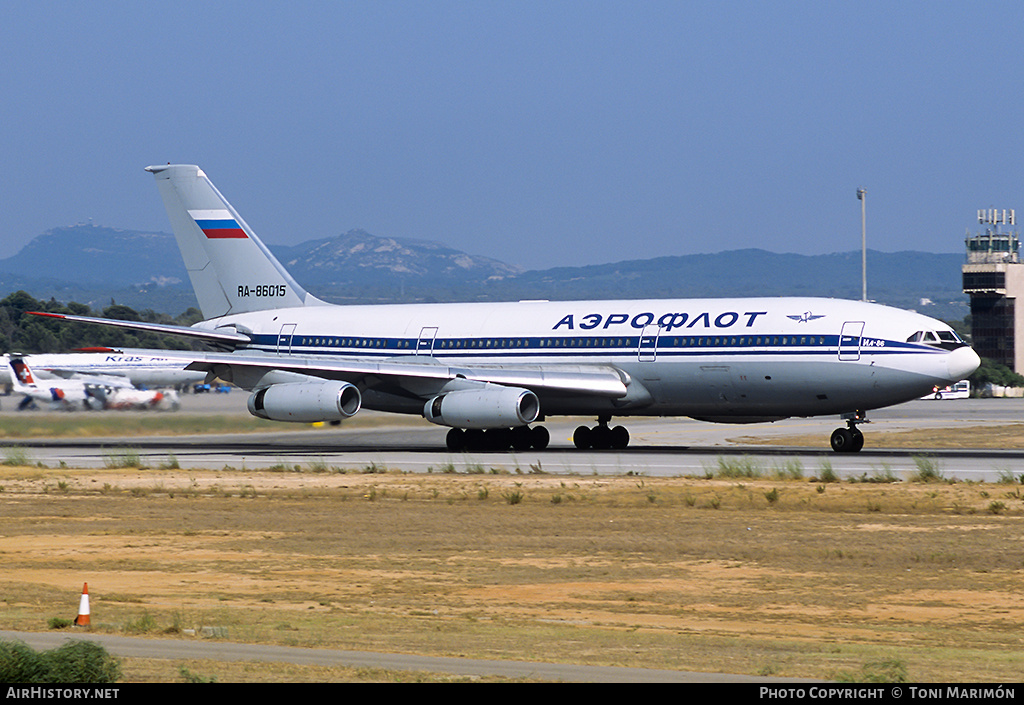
x: 994, y: 278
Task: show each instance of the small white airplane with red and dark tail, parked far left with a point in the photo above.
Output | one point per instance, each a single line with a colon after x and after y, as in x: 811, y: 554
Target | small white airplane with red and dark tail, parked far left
x: 86, y: 392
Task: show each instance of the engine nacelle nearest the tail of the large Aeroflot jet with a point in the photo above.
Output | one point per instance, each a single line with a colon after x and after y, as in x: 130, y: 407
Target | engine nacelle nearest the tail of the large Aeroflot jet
x: 307, y: 402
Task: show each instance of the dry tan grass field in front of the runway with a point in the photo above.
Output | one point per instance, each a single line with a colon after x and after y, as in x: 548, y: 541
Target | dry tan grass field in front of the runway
x: 774, y: 575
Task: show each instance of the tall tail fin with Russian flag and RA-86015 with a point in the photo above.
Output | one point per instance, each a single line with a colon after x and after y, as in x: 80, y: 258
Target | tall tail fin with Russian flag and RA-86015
x: 232, y: 271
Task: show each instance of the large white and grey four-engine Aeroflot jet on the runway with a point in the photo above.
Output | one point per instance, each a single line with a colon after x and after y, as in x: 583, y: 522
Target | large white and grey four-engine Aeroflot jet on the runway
x: 492, y: 372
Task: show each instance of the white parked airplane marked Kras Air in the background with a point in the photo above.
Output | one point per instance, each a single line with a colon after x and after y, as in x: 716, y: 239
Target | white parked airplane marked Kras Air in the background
x: 143, y: 368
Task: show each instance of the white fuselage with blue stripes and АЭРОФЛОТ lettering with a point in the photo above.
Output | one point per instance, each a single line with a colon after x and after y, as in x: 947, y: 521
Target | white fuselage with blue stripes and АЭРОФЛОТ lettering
x: 727, y: 360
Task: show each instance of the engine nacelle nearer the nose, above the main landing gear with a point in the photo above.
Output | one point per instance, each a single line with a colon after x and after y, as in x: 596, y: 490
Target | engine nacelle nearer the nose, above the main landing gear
x: 491, y: 407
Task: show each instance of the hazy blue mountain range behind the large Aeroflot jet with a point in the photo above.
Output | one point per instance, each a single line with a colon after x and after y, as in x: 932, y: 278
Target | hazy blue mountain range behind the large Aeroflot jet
x: 143, y: 270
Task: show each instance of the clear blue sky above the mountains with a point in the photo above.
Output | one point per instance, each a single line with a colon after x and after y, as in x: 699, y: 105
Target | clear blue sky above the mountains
x: 552, y: 134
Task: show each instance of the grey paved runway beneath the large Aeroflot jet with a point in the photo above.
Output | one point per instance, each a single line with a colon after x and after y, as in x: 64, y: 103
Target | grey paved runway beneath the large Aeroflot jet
x: 660, y: 447
